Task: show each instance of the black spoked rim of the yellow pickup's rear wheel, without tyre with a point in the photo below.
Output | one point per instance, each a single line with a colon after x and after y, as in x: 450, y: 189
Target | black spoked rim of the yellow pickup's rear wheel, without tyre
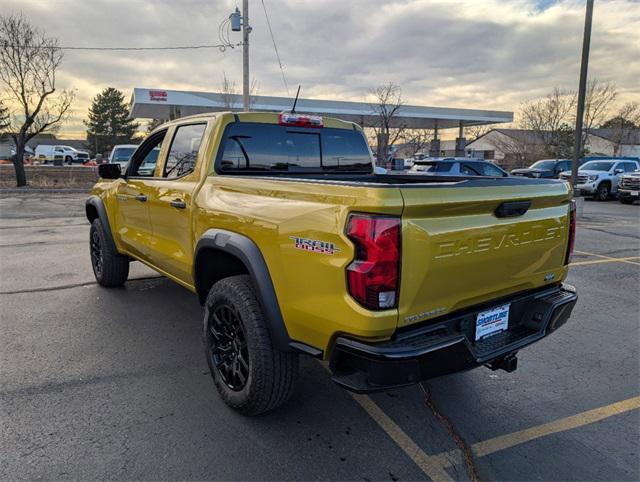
x: 228, y: 347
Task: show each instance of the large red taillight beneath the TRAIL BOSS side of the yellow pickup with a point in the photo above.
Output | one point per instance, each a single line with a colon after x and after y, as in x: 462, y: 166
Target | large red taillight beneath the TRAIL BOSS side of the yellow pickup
x: 373, y: 277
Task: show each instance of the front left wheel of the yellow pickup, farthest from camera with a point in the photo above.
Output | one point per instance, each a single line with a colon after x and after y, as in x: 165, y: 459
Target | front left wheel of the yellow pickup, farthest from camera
x: 113, y: 269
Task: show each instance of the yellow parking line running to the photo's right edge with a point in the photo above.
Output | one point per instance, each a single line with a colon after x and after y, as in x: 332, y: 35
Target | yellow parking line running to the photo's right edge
x: 502, y: 442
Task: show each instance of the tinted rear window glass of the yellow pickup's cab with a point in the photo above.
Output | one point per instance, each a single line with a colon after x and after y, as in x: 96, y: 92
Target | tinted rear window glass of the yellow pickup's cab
x: 250, y: 147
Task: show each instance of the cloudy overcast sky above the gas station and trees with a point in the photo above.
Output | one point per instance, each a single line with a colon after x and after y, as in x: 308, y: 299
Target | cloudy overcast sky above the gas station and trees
x: 485, y: 54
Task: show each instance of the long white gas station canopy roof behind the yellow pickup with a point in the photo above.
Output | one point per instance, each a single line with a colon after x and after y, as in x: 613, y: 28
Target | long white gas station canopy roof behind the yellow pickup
x: 170, y: 104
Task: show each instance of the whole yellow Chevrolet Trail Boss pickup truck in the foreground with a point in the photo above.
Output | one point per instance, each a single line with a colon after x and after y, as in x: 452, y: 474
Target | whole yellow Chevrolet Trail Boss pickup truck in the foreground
x: 294, y: 245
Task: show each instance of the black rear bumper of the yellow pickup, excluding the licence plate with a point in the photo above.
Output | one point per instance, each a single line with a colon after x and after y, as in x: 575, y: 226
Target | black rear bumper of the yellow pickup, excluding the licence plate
x: 447, y: 345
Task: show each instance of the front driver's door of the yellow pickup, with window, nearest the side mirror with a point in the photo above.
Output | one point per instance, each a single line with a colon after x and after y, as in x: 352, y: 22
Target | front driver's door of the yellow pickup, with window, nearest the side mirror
x: 133, y: 225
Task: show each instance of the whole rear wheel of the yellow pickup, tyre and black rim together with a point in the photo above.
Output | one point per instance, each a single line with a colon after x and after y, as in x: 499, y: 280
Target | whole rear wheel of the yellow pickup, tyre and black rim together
x: 250, y: 374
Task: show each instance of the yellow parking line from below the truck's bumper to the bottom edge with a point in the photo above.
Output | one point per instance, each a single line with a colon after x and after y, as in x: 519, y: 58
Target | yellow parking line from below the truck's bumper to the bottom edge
x: 431, y: 467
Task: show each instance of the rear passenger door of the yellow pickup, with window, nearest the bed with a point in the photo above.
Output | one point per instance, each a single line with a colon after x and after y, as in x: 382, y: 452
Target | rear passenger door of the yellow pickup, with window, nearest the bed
x: 171, y: 200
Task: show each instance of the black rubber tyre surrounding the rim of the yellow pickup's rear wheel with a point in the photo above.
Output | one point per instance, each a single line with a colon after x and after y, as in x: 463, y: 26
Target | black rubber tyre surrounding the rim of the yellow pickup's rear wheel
x: 271, y: 372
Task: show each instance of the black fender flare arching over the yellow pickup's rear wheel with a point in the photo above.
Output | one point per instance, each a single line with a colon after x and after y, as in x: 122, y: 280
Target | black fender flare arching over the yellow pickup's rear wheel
x: 248, y: 252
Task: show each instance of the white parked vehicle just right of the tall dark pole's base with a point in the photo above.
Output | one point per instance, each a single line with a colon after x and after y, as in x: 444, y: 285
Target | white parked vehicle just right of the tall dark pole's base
x: 600, y: 178
